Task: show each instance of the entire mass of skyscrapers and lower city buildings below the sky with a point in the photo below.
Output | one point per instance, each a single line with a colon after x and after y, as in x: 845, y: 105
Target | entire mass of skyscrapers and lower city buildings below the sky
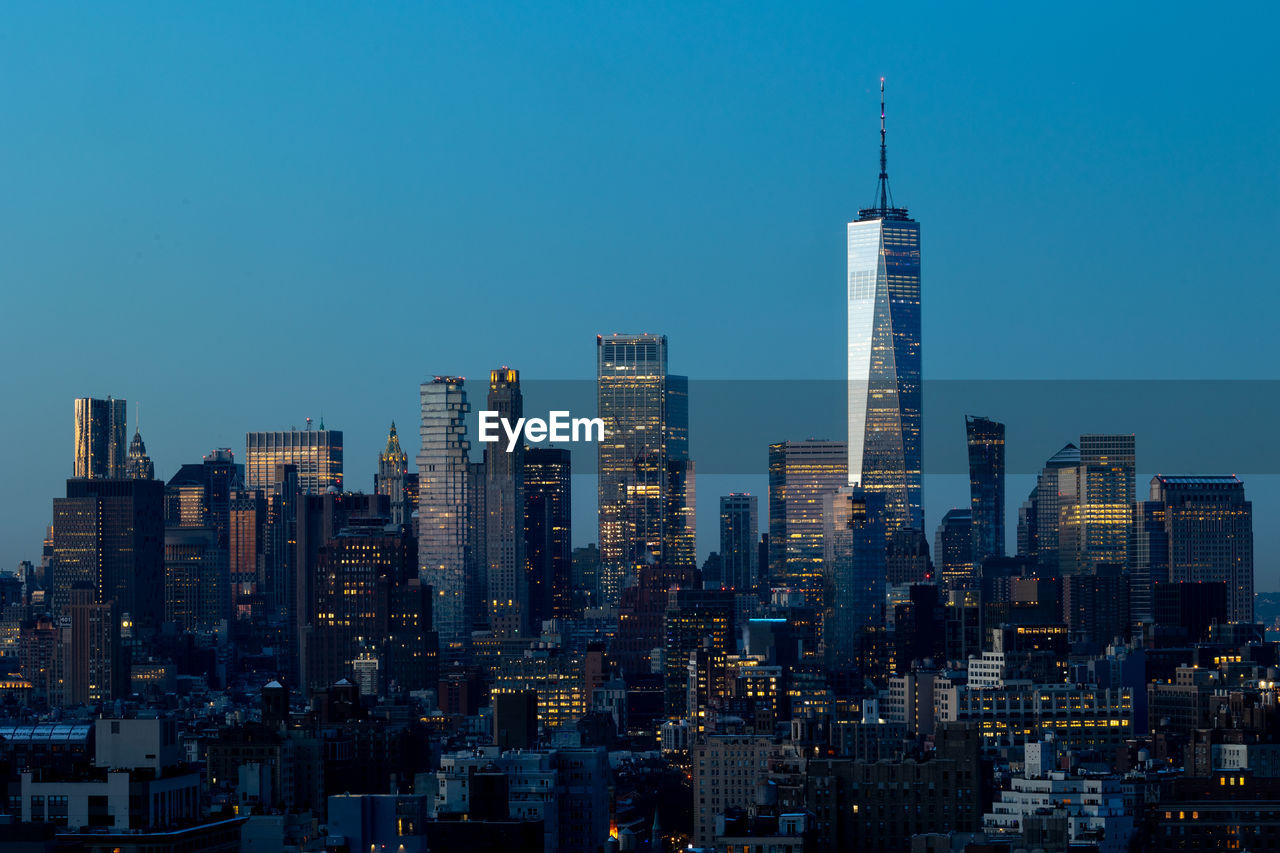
x: 433, y: 663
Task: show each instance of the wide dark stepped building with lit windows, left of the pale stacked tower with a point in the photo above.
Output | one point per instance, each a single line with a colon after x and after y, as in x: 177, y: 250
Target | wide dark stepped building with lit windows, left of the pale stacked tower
x: 360, y: 571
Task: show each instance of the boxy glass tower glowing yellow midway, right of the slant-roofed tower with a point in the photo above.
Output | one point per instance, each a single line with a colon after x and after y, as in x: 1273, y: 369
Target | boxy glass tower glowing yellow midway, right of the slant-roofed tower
x: 1096, y: 505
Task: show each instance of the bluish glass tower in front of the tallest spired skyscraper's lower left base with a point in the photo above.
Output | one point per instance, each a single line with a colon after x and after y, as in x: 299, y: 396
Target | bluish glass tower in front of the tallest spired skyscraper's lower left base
x: 854, y: 573
